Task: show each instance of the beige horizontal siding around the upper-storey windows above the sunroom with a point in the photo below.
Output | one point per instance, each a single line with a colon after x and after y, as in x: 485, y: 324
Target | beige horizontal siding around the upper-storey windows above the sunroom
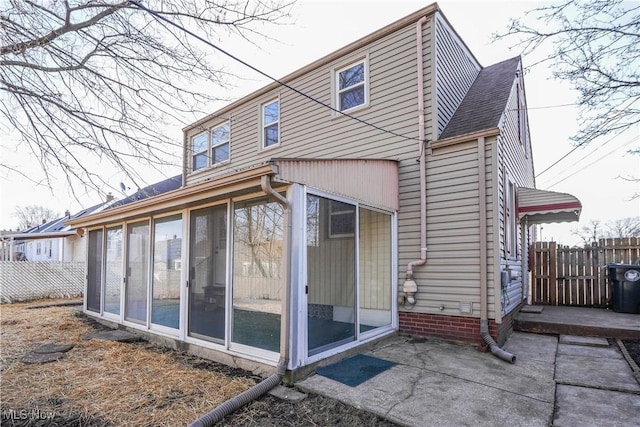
x: 311, y: 131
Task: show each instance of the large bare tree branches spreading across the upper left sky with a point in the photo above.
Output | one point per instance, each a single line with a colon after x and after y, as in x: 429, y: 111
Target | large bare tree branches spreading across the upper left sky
x: 103, y: 79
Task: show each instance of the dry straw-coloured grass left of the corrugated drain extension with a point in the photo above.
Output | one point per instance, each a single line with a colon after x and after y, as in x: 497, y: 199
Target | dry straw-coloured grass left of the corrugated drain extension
x: 120, y: 384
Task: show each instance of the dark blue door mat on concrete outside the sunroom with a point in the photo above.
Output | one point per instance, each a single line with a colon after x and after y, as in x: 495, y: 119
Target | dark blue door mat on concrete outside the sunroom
x: 355, y: 370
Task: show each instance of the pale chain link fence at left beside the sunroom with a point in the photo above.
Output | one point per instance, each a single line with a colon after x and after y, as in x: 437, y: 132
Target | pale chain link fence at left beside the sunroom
x: 23, y: 281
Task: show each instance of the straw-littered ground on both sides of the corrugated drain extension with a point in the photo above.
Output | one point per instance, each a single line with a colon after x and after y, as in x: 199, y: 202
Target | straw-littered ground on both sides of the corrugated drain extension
x: 102, y: 383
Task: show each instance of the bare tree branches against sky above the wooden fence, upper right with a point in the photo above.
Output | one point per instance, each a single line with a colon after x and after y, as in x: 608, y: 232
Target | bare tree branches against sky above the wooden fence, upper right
x: 595, y: 46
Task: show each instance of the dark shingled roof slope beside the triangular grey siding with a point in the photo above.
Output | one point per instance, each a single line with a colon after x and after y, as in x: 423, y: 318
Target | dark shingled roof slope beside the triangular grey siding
x: 486, y: 100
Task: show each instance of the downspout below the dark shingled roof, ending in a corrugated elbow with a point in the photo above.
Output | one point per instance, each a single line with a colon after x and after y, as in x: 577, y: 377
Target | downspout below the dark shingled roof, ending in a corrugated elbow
x: 484, y: 318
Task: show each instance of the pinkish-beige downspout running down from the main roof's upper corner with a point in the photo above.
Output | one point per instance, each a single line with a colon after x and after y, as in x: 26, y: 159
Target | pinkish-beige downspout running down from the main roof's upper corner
x: 410, y: 287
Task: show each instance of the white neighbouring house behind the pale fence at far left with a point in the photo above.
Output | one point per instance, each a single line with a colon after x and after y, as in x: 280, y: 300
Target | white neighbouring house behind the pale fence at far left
x: 50, y: 241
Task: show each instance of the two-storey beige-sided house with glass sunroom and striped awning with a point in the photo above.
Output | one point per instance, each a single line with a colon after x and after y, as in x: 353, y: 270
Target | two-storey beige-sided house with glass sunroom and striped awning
x: 304, y: 233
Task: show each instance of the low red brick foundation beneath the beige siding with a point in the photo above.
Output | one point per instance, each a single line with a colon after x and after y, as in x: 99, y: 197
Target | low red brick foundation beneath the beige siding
x: 456, y: 328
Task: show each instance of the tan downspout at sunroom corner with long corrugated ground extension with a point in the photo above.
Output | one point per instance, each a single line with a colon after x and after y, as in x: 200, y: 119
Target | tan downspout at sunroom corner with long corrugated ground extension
x: 273, y: 380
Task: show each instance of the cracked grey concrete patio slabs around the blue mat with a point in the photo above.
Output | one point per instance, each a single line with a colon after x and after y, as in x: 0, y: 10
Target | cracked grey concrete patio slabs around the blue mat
x: 439, y: 383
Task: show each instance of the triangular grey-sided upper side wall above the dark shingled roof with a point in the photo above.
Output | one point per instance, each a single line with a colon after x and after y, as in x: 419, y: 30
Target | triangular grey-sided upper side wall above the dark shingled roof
x: 456, y: 70
